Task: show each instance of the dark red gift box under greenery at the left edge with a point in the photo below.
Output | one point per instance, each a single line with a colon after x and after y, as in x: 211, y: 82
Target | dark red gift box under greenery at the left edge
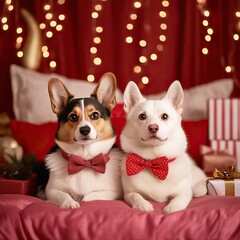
x: 13, y: 186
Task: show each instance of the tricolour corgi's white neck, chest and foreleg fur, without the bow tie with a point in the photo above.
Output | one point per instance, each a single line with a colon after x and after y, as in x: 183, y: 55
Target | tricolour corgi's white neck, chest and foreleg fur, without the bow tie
x: 66, y: 190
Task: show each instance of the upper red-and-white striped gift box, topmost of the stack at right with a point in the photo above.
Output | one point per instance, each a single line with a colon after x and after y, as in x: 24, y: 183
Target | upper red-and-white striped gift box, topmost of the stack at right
x: 224, y: 119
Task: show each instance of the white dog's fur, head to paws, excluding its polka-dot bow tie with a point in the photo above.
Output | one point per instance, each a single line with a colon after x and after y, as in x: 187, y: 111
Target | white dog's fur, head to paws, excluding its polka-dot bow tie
x: 184, y: 180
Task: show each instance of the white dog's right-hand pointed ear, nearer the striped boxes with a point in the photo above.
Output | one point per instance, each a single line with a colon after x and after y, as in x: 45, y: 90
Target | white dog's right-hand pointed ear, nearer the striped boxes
x: 175, y: 95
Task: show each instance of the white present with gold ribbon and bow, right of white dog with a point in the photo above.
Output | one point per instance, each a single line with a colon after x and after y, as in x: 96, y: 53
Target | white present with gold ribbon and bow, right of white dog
x: 224, y: 183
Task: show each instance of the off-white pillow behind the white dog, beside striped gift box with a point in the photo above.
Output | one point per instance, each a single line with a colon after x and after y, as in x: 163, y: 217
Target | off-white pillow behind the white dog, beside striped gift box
x: 195, y: 98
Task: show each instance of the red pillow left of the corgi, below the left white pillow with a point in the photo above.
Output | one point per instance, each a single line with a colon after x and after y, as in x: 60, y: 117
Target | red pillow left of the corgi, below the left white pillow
x: 37, y: 139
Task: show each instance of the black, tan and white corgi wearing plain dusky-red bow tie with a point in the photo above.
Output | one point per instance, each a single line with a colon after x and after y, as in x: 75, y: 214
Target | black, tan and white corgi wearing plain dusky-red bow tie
x: 86, y: 166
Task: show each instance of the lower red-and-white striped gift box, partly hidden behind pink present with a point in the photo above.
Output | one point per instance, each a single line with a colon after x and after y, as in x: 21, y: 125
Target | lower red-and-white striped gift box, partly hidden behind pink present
x: 231, y: 146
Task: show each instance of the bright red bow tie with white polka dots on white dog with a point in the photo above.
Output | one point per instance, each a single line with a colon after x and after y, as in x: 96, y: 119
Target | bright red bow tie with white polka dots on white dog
x: 158, y: 166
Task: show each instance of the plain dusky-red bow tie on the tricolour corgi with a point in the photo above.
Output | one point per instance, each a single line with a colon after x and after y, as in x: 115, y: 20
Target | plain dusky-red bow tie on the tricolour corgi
x: 76, y: 163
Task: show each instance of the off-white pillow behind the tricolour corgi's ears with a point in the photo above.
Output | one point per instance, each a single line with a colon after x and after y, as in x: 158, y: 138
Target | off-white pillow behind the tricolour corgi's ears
x: 31, y: 101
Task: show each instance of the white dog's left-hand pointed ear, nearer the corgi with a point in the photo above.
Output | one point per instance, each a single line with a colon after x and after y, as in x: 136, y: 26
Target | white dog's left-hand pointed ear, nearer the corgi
x: 131, y: 96
